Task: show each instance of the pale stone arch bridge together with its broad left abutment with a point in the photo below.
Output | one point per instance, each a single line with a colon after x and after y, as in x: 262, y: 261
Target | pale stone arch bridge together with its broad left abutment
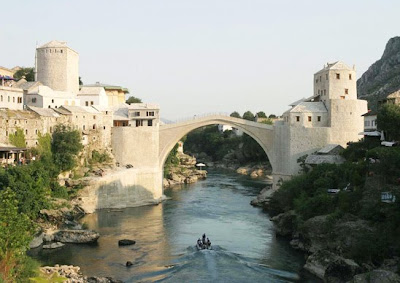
x: 146, y: 148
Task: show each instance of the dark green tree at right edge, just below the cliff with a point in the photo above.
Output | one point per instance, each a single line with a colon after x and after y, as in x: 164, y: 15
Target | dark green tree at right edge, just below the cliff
x: 389, y: 120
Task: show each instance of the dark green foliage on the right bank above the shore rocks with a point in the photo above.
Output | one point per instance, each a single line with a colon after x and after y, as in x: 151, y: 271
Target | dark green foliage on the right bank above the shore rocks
x: 370, y: 170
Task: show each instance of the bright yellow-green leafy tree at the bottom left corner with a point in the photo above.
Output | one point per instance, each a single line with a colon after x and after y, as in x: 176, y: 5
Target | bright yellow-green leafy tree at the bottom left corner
x: 15, y: 234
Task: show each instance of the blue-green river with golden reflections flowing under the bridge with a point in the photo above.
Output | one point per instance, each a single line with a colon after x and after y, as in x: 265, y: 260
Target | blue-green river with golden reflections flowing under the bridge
x: 245, y: 248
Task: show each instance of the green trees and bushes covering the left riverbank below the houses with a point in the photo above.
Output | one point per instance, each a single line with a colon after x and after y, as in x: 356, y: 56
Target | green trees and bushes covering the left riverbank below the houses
x: 26, y: 190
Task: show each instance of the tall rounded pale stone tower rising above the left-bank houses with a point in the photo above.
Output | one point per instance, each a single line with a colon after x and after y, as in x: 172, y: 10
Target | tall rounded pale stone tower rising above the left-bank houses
x: 57, y: 66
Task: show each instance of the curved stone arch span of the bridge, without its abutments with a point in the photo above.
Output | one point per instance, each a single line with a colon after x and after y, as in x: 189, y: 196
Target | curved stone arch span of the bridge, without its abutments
x: 170, y: 134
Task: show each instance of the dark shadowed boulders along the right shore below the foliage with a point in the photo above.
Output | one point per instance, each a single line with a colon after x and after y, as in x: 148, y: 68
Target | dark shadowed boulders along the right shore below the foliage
x: 327, y: 245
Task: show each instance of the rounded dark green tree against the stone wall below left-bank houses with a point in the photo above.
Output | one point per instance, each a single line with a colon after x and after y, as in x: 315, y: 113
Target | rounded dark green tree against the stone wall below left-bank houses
x: 65, y: 146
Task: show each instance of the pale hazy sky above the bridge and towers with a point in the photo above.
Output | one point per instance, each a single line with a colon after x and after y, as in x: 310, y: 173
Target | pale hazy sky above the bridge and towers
x: 195, y: 57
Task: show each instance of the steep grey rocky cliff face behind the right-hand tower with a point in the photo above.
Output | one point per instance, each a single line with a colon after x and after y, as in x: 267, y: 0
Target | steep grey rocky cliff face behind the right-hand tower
x: 383, y: 77
